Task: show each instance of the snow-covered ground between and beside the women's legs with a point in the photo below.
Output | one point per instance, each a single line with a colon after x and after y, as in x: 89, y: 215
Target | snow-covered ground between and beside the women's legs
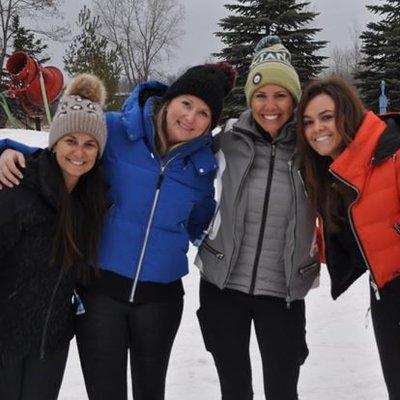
x: 343, y: 362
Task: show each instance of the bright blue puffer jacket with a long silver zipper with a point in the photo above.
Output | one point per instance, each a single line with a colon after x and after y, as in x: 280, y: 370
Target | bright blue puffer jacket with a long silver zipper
x: 157, y: 205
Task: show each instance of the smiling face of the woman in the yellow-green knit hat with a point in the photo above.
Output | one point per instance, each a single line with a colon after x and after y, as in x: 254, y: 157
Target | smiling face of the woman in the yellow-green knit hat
x: 272, y: 106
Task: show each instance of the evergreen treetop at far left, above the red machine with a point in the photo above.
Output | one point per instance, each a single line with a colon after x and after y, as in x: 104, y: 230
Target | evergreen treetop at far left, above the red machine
x: 24, y: 40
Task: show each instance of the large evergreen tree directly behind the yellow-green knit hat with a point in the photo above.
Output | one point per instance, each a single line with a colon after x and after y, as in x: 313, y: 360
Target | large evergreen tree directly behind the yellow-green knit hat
x: 251, y: 20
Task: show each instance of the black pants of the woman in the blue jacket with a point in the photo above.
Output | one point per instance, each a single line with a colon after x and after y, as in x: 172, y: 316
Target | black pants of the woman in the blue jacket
x: 105, y: 333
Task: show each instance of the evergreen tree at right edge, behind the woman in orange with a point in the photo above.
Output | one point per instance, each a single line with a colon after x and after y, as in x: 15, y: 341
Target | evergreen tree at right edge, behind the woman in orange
x: 381, y: 56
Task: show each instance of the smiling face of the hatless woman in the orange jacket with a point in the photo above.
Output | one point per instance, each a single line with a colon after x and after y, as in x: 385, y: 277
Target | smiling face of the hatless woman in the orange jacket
x: 320, y: 128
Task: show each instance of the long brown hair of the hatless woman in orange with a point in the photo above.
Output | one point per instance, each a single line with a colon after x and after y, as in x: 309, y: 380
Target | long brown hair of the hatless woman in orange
x: 325, y: 194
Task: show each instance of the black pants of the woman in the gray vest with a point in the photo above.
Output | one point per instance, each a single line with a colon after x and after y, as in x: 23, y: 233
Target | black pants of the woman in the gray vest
x: 225, y: 318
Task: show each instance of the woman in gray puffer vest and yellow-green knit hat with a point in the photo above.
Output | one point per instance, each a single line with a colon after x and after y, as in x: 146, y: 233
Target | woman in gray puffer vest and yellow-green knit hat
x: 259, y: 260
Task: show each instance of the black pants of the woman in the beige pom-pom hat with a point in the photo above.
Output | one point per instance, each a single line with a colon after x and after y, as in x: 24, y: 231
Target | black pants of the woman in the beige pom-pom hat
x: 30, y: 378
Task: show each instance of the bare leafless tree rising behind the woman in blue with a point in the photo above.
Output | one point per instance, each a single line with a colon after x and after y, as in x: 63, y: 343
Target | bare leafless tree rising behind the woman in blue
x: 146, y: 31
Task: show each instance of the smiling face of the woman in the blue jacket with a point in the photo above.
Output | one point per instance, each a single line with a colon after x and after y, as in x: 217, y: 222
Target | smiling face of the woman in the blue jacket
x: 187, y: 117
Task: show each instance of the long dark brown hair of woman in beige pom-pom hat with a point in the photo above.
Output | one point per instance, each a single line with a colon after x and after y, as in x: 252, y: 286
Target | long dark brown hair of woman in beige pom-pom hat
x: 77, y: 233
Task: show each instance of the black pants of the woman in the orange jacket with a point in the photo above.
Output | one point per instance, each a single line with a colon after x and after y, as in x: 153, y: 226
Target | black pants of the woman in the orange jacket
x: 386, y: 320
